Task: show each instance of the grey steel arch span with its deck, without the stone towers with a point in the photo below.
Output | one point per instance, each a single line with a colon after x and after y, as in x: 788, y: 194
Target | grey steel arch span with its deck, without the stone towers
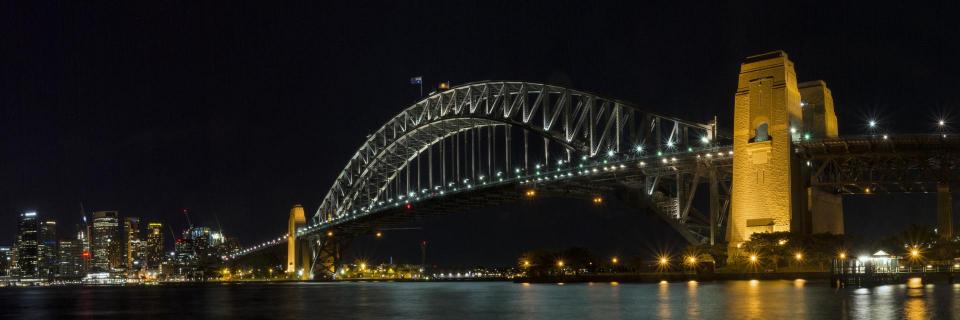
x: 471, y: 145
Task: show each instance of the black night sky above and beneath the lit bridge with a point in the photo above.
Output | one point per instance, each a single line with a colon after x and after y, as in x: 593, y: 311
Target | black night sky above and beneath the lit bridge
x: 240, y: 110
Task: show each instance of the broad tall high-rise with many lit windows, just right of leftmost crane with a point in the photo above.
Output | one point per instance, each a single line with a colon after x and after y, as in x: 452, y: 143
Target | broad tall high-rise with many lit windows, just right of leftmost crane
x: 106, y: 244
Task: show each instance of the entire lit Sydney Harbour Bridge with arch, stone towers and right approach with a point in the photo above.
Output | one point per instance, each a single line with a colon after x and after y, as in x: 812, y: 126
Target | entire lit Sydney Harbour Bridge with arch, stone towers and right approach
x: 784, y: 166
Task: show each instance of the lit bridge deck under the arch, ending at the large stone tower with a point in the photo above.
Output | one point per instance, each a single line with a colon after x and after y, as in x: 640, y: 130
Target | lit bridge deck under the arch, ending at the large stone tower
x: 589, y: 178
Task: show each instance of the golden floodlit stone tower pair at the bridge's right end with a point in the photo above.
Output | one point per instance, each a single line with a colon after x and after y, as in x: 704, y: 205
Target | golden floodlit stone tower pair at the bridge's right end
x: 771, y: 112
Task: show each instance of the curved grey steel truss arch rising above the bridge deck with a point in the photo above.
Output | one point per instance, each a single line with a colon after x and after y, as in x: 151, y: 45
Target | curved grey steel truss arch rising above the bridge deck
x: 580, y: 123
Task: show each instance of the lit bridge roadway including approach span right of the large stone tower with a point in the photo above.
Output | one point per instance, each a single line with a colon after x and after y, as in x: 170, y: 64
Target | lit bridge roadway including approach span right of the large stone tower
x: 871, y: 164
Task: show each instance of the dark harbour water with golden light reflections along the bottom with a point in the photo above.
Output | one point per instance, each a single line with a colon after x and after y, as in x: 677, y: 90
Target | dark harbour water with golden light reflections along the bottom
x: 787, y: 299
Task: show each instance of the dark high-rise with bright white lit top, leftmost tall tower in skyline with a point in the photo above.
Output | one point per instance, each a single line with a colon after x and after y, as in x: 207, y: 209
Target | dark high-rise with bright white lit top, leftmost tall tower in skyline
x: 26, y: 255
